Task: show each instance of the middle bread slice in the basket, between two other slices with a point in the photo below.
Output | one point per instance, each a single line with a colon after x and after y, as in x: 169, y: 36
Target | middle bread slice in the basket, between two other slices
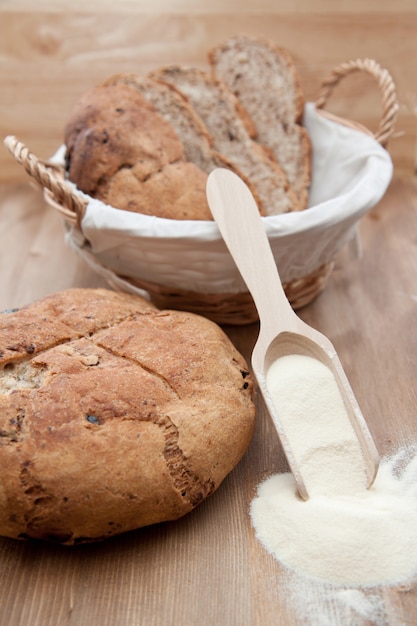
x: 231, y: 131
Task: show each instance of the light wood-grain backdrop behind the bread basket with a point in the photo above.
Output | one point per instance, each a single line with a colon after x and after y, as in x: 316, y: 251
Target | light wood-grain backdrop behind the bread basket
x: 52, y: 52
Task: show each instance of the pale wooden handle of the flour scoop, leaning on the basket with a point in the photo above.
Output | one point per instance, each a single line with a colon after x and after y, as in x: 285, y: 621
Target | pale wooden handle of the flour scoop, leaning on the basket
x: 237, y: 216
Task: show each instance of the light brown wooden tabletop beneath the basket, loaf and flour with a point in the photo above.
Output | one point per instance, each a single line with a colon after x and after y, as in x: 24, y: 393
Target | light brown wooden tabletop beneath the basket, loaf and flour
x: 207, y: 569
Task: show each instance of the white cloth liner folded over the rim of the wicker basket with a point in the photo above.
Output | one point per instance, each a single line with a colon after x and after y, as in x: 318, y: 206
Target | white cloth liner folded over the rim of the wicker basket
x: 350, y: 174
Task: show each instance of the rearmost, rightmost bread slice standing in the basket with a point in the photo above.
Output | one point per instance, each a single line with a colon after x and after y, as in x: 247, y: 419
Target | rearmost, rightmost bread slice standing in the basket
x: 264, y: 78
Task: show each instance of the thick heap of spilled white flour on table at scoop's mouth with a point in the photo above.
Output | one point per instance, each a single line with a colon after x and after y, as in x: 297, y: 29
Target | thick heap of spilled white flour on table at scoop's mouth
x: 364, y: 539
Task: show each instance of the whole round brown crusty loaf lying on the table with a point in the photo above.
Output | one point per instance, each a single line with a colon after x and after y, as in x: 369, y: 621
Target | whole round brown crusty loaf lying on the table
x: 114, y: 415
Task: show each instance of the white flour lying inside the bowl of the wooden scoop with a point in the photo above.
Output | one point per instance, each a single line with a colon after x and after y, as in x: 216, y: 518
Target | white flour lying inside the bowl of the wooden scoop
x: 318, y: 427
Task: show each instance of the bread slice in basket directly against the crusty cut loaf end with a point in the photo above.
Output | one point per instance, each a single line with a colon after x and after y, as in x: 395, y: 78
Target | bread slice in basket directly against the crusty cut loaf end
x: 174, y: 108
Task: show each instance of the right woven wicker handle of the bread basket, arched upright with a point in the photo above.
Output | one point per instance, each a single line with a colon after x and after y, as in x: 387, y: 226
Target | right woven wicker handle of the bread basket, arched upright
x: 385, y: 83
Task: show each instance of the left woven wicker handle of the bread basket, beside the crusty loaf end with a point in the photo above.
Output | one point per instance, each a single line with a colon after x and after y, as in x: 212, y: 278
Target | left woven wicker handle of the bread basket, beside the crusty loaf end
x: 66, y: 199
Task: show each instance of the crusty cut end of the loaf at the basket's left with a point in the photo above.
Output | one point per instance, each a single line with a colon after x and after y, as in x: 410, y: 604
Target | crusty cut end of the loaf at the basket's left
x: 120, y: 150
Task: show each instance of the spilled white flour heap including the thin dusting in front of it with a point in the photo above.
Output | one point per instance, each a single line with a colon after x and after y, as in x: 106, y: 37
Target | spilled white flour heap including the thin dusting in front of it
x: 340, y: 552
